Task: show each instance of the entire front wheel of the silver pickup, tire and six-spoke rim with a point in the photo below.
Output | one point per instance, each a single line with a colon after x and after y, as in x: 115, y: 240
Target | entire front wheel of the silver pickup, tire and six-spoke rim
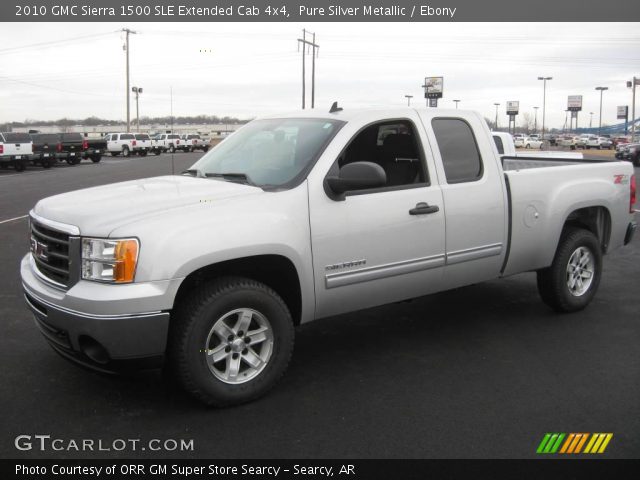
x: 231, y: 341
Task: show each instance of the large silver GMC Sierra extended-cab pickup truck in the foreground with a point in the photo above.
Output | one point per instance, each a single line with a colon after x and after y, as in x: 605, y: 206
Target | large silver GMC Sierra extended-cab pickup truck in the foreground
x: 303, y: 216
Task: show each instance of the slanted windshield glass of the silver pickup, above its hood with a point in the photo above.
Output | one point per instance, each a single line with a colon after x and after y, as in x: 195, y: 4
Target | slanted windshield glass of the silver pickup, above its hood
x: 269, y: 152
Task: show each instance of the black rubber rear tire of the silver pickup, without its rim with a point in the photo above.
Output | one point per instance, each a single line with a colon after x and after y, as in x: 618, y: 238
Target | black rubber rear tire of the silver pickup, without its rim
x: 553, y: 282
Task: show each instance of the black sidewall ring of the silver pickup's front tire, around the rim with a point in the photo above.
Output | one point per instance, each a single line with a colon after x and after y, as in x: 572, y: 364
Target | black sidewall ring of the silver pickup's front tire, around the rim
x: 243, y: 296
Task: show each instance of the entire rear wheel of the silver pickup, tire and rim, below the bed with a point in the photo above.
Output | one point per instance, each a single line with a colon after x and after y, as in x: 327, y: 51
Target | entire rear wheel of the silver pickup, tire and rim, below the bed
x: 572, y: 280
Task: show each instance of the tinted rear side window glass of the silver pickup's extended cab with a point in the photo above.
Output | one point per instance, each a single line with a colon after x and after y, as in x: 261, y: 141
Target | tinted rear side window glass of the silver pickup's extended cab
x: 458, y: 149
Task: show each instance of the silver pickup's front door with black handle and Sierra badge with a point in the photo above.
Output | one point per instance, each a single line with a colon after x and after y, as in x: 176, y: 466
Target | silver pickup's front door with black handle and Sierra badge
x: 379, y: 245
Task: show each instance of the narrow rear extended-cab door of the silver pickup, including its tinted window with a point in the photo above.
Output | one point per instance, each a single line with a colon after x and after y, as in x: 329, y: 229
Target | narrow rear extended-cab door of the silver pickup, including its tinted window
x: 474, y: 196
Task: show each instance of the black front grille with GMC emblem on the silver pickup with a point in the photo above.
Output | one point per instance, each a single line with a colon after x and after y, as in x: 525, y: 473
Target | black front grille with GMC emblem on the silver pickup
x: 50, y: 251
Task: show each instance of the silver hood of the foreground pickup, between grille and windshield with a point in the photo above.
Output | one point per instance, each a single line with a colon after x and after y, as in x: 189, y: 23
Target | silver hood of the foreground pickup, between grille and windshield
x: 100, y: 210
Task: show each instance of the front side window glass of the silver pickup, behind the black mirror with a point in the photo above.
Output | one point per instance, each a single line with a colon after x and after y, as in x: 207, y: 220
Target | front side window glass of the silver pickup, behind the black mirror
x: 394, y: 146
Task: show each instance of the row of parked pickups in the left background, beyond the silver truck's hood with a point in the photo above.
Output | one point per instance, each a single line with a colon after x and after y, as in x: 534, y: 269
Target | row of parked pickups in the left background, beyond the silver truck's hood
x: 18, y: 150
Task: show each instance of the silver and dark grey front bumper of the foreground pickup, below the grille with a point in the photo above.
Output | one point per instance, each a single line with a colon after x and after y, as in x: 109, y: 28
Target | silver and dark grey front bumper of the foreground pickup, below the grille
x: 102, y: 326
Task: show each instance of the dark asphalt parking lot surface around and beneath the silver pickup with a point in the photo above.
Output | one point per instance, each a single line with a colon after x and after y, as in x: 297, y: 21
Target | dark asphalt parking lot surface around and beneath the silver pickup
x: 478, y: 372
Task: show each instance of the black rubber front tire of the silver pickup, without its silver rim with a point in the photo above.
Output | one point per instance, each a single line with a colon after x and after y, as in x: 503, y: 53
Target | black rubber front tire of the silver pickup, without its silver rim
x: 191, y: 330
